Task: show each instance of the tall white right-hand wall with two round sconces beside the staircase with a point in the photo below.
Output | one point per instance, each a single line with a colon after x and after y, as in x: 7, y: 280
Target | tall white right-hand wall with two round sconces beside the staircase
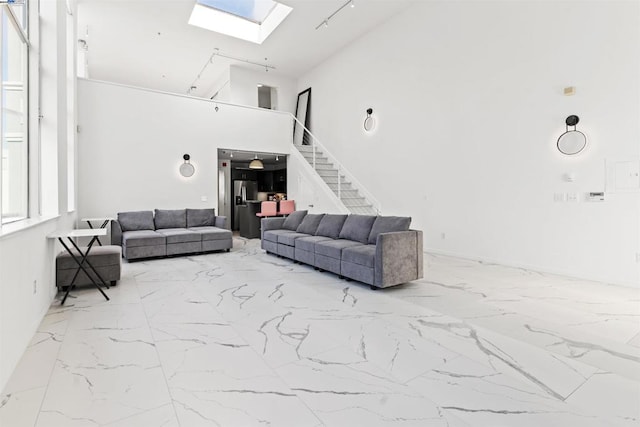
x: 468, y: 99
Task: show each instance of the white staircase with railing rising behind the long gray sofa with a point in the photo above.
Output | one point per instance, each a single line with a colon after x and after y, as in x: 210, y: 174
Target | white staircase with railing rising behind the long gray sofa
x: 337, y: 182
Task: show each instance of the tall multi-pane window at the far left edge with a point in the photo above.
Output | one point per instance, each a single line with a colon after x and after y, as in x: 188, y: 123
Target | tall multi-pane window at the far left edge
x: 14, y: 177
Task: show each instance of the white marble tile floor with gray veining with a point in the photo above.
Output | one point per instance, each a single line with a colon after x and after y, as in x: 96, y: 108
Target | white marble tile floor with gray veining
x: 248, y: 339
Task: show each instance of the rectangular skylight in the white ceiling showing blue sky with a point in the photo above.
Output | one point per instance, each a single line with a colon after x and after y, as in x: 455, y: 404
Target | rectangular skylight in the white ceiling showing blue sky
x: 252, y: 20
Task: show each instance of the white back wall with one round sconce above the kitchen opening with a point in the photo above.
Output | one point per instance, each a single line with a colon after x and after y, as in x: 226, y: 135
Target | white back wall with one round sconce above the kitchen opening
x: 132, y: 140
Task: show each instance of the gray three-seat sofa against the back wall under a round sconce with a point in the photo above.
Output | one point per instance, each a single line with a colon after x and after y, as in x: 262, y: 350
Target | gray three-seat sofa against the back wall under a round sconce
x: 170, y: 232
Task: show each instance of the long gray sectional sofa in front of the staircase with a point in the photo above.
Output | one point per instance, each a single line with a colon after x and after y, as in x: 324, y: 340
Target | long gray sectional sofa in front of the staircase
x: 380, y: 251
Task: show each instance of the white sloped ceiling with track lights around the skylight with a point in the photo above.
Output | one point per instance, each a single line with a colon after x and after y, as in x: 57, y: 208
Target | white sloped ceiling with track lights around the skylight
x: 148, y: 43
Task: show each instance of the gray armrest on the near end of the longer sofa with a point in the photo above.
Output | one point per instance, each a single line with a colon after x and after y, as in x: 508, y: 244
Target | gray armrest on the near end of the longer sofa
x: 399, y: 258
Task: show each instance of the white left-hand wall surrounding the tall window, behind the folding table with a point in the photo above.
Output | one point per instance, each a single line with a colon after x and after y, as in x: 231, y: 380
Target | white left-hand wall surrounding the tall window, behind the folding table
x: 27, y: 257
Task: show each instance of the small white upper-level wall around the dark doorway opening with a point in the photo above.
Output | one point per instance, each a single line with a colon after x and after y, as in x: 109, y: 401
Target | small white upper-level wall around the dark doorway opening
x: 244, y: 88
